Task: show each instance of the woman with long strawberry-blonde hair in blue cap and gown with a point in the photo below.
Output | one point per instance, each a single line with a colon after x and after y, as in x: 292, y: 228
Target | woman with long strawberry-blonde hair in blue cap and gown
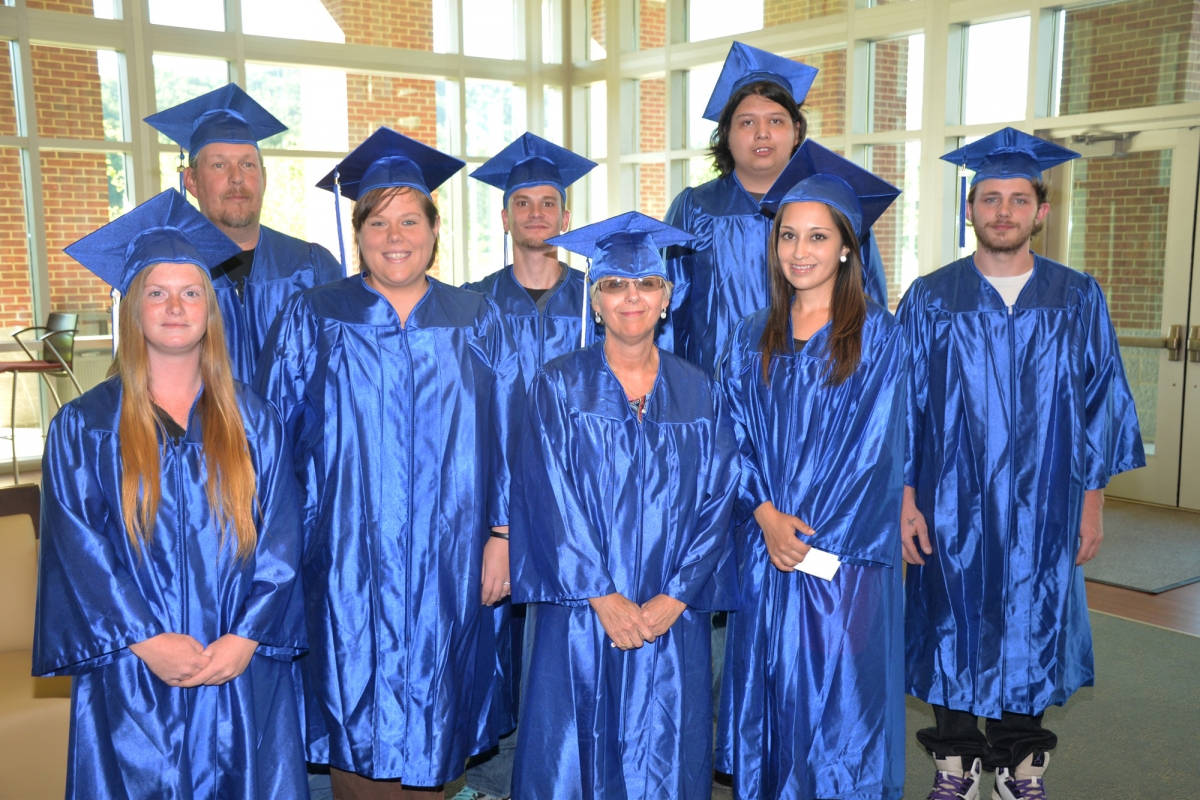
x: 169, y: 579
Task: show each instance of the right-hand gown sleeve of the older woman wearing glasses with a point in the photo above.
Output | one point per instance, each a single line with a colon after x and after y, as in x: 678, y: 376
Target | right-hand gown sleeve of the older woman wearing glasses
x: 707, y: 579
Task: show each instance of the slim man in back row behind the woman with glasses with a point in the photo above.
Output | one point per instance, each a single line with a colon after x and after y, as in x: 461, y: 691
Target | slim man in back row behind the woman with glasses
x: 542, y: 300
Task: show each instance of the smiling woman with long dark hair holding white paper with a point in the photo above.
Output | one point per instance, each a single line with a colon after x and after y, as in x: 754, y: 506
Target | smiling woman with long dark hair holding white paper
x: 817, y: 387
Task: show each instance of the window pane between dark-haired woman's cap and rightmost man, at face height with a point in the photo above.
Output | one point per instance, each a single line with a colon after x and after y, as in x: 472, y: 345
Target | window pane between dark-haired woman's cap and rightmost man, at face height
x: 897, y: 231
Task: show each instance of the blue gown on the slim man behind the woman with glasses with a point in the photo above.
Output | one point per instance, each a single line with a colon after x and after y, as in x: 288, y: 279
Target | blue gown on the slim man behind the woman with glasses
x: 539, y: 335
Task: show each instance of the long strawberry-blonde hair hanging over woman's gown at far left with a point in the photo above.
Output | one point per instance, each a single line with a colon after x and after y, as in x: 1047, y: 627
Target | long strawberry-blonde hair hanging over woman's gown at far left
x: 231, y: 485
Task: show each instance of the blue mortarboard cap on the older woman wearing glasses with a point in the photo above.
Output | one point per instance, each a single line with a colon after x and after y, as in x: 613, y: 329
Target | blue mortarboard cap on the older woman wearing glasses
x: 626, y: 246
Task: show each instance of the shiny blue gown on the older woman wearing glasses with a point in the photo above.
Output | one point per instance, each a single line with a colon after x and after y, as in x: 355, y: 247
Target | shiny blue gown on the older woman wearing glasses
x: 605, y: 504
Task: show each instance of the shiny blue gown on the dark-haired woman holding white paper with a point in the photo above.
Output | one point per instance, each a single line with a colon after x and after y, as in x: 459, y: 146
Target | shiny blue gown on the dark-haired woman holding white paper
x: 813, y: 695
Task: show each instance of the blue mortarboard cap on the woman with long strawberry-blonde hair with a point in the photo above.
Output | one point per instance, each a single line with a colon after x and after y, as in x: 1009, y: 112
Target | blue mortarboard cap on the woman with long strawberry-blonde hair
x: 165, y: 230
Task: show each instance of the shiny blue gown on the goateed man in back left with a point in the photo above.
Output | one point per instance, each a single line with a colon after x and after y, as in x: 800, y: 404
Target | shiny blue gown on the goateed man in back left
x: 284, y: 266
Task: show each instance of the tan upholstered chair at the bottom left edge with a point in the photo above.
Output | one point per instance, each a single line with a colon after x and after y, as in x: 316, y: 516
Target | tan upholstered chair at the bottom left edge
x: 35, y: 713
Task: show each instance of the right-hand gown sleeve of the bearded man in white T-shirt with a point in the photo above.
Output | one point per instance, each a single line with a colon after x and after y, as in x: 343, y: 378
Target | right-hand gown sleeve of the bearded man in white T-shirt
x: 1114, y: 437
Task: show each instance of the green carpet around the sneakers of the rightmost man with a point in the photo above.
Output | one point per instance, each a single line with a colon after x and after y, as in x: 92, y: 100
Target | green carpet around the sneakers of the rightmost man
x: 1136, y: 736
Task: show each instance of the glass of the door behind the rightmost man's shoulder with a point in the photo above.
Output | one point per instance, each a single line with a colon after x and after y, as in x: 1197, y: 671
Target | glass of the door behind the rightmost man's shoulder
x: 1118, y: 234
